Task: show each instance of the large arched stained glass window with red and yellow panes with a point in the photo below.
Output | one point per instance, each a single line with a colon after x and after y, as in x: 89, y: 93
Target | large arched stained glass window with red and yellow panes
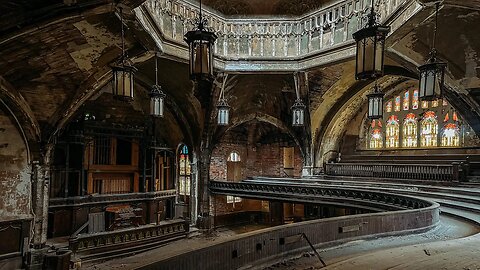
x: 406, y: 126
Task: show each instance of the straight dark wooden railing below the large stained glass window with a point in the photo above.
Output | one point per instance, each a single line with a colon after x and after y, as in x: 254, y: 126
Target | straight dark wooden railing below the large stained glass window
x: 443, y: 172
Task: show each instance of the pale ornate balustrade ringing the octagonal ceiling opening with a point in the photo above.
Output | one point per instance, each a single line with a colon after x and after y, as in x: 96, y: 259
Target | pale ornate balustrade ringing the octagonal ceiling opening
x: 275, y: 38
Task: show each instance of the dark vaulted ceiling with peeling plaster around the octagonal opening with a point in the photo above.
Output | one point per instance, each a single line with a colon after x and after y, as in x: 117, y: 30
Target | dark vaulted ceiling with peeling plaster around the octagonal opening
x: 55, y: 62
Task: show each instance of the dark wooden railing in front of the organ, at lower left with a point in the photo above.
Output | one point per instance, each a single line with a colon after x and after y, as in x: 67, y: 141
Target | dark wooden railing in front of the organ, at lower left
x: 132, y: 237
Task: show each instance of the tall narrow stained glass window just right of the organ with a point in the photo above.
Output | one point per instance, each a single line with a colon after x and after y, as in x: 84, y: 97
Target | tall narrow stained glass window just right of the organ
x: 184, y: 174
